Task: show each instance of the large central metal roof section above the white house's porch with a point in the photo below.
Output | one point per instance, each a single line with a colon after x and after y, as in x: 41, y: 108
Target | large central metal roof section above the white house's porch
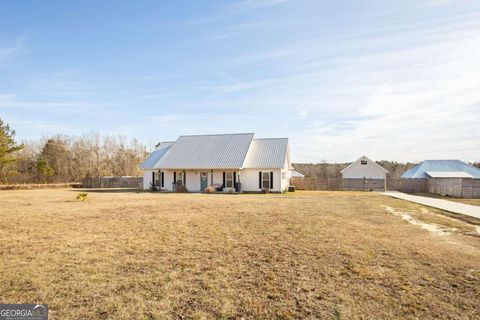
x: 221, y: 151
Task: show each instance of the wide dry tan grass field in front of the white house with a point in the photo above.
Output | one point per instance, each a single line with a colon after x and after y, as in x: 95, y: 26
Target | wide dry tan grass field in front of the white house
x: 329, y: 255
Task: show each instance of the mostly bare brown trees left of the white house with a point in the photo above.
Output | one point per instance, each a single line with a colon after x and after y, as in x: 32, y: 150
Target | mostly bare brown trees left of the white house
x: 61, y: 158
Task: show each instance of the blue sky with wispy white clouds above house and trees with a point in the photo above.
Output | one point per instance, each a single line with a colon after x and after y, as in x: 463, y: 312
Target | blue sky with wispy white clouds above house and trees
x: 393, y: 80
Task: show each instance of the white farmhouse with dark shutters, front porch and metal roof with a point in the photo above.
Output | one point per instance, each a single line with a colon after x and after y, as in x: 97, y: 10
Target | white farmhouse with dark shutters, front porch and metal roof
x: 227, y: 162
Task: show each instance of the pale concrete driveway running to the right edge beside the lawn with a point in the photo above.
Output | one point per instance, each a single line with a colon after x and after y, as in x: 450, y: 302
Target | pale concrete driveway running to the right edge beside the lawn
x: 455, y: 207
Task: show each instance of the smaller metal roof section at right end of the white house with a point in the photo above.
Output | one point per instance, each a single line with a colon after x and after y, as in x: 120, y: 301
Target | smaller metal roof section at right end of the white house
x: 267, y: 153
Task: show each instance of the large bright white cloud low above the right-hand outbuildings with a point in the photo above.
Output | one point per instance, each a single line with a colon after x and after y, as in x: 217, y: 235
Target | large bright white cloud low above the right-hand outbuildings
x: 427, y: 110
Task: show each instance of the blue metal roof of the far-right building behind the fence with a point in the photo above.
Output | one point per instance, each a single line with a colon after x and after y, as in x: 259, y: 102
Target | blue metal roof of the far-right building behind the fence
x: 419, y: 171
